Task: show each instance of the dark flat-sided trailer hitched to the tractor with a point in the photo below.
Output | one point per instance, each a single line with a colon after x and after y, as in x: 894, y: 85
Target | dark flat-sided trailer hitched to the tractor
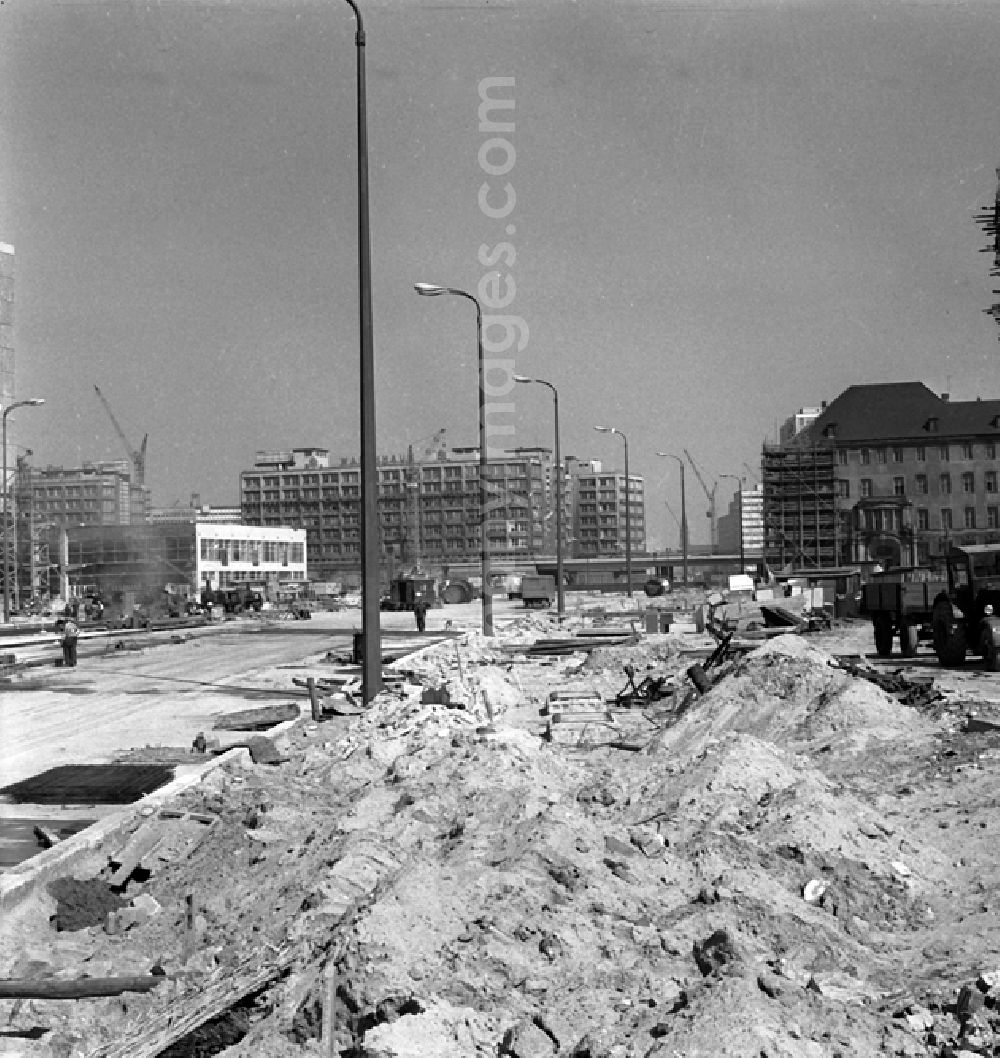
x: 901, y: 603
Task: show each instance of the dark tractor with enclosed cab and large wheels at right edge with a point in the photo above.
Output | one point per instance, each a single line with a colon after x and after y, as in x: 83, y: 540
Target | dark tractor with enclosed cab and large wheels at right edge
x: 967, y: 615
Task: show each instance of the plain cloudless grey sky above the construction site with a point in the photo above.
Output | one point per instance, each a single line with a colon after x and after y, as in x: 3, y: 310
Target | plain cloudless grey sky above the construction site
x: 715, y: 214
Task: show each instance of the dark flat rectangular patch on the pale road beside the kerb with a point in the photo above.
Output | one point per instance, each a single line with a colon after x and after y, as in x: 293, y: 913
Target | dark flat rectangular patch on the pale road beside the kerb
x: 89, y: 785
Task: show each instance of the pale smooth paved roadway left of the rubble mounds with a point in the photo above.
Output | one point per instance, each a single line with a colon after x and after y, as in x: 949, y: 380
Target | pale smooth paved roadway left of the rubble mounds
x: 162, y: 696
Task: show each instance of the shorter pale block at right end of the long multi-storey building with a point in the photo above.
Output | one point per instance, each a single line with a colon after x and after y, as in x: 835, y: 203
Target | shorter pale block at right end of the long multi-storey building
x: 599, y: 499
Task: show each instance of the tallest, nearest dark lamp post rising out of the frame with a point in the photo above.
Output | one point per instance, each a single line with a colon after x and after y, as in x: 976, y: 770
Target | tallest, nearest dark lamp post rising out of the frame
x: 371, y: 579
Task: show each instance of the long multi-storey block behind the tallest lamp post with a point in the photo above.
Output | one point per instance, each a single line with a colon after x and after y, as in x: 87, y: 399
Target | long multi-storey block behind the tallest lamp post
x: 429, y: 510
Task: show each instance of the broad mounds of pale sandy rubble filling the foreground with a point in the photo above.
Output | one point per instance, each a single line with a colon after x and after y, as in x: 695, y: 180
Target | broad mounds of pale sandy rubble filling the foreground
x: 794, y: 865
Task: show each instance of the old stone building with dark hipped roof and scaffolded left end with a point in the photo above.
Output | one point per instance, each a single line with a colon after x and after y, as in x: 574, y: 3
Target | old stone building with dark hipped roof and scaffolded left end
x: 890, y: 475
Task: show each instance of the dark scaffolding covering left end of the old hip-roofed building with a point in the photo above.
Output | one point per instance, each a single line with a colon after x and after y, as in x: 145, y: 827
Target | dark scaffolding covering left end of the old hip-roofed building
x: 802, y: 522
